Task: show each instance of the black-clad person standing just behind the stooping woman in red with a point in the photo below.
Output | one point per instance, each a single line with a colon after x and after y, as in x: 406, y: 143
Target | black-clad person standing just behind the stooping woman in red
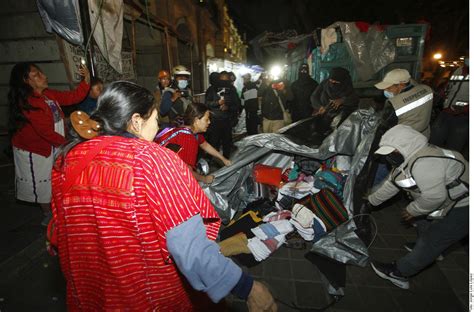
x: 224, y: 103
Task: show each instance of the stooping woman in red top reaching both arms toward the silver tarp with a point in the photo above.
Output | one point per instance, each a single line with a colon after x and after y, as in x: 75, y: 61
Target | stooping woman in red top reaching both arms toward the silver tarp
x: 189, y: 138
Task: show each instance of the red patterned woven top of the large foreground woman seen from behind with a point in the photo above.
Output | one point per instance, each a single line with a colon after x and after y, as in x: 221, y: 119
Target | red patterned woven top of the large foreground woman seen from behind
x: 112, y: 226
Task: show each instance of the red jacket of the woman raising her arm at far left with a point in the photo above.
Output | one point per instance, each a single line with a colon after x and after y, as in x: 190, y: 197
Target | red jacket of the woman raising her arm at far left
x: 38, y: 135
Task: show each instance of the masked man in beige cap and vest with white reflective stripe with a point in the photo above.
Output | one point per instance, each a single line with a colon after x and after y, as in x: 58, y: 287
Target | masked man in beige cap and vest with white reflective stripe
x: 412, y: 102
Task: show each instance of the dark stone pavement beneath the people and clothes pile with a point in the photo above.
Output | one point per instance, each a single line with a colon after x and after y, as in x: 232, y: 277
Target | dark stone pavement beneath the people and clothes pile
x: 32, y: 281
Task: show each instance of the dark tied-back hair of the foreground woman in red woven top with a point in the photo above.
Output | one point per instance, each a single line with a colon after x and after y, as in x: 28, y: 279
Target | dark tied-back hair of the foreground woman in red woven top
x: 115, y: 108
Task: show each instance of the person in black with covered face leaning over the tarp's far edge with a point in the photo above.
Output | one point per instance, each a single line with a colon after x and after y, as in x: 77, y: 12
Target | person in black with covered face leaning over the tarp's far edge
x: 335, y: 96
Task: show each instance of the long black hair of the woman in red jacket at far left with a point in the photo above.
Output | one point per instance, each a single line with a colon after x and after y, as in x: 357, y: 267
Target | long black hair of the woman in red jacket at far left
x: 18, y: 96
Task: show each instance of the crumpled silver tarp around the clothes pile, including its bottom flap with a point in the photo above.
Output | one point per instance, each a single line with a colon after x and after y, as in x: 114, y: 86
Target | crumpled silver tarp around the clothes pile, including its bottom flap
x: 232, y: 189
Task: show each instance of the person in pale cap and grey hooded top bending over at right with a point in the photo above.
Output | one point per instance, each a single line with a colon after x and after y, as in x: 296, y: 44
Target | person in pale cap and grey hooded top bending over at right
x: 438, y: 183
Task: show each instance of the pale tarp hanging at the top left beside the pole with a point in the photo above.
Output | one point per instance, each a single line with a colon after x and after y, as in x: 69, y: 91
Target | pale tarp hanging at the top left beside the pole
x: 62, y: 17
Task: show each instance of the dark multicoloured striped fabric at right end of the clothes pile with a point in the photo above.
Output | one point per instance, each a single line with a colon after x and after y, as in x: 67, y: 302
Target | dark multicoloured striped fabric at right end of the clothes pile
x: 327, y: 207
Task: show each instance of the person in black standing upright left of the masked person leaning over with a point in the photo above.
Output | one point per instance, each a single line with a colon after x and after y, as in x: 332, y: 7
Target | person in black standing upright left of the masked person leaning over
x: 302, y: 89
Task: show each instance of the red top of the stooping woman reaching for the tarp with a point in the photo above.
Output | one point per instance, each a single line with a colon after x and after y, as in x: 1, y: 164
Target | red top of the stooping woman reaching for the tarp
x: 188, y: 141
